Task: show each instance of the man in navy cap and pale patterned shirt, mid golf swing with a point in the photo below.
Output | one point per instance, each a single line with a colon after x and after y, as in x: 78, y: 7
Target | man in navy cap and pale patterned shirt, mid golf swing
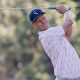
x: 56, y: 43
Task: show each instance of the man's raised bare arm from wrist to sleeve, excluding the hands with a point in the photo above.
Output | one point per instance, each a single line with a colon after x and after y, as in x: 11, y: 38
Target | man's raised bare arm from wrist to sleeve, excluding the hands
x: 67, y: 24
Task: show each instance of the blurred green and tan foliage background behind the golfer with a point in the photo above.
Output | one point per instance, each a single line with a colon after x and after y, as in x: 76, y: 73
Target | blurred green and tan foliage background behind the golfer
x: 21, y: 54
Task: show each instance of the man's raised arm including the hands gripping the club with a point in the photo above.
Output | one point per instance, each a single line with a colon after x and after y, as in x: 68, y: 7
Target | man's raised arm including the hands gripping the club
x: 67, y: 24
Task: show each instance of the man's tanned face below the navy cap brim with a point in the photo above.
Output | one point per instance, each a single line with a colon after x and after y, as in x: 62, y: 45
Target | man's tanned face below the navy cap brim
x: 41, y: 22
